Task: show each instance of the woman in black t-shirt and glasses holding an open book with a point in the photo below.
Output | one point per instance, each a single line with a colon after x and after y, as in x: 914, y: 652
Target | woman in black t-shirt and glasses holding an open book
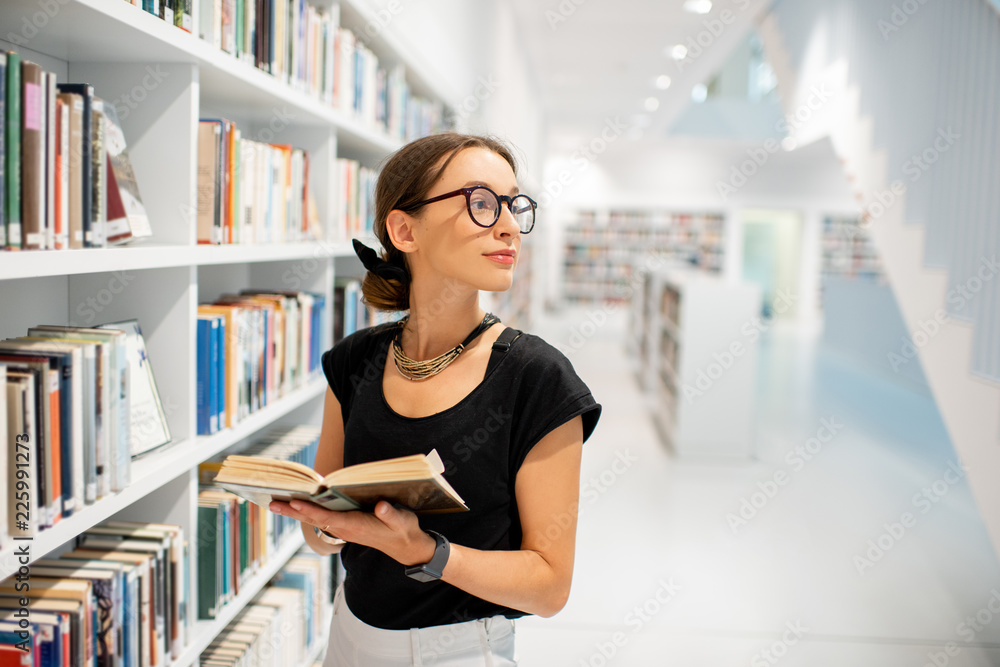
x: 505, y: 411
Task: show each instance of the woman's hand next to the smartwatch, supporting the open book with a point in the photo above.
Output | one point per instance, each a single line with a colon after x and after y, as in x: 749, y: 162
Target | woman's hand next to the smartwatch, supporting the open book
x: 394, y: 532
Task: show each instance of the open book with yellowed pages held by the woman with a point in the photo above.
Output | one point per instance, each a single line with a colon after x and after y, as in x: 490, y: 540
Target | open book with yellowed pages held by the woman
x: 414, y: 482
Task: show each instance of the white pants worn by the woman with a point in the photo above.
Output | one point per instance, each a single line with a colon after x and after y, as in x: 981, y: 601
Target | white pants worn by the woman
x: 485, y: 642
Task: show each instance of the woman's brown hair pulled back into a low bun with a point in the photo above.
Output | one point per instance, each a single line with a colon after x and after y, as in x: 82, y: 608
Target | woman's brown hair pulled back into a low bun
x: 406, y: 178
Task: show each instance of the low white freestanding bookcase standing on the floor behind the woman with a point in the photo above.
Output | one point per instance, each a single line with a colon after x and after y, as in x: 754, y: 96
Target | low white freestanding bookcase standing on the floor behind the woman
x: 695, y: 357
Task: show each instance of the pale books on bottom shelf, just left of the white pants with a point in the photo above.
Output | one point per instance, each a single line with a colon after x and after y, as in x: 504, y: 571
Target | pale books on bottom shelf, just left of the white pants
x: 283, y: 623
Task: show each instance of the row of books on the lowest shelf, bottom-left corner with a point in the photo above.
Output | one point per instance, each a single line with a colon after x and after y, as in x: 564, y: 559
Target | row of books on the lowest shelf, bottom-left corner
x: 119, y: 599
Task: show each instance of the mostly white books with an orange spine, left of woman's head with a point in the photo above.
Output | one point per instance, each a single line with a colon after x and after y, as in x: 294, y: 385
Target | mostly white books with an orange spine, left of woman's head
x: 251, y: 191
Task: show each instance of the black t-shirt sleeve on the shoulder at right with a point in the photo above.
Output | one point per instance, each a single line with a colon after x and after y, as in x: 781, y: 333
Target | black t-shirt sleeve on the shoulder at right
x: 550, y: 393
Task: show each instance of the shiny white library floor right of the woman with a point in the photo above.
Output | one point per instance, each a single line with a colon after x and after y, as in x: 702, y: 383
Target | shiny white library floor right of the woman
x: 663, y: 579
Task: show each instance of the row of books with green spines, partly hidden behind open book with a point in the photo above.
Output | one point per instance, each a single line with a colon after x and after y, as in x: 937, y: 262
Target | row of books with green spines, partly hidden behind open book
x: 236, y: 537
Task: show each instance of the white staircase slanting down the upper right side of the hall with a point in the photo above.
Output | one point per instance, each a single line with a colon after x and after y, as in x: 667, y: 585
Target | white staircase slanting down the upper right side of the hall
x: 955, y: 362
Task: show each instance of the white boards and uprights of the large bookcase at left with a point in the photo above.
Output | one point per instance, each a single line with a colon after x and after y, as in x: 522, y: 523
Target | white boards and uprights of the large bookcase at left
x: 161, y: 280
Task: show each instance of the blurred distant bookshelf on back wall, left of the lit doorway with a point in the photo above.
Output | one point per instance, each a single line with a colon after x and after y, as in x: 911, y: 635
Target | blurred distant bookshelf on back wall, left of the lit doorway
x: 602, y: 248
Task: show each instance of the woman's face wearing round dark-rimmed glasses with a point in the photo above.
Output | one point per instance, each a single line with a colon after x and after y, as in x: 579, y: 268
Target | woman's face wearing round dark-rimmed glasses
x: 449, y: 244
